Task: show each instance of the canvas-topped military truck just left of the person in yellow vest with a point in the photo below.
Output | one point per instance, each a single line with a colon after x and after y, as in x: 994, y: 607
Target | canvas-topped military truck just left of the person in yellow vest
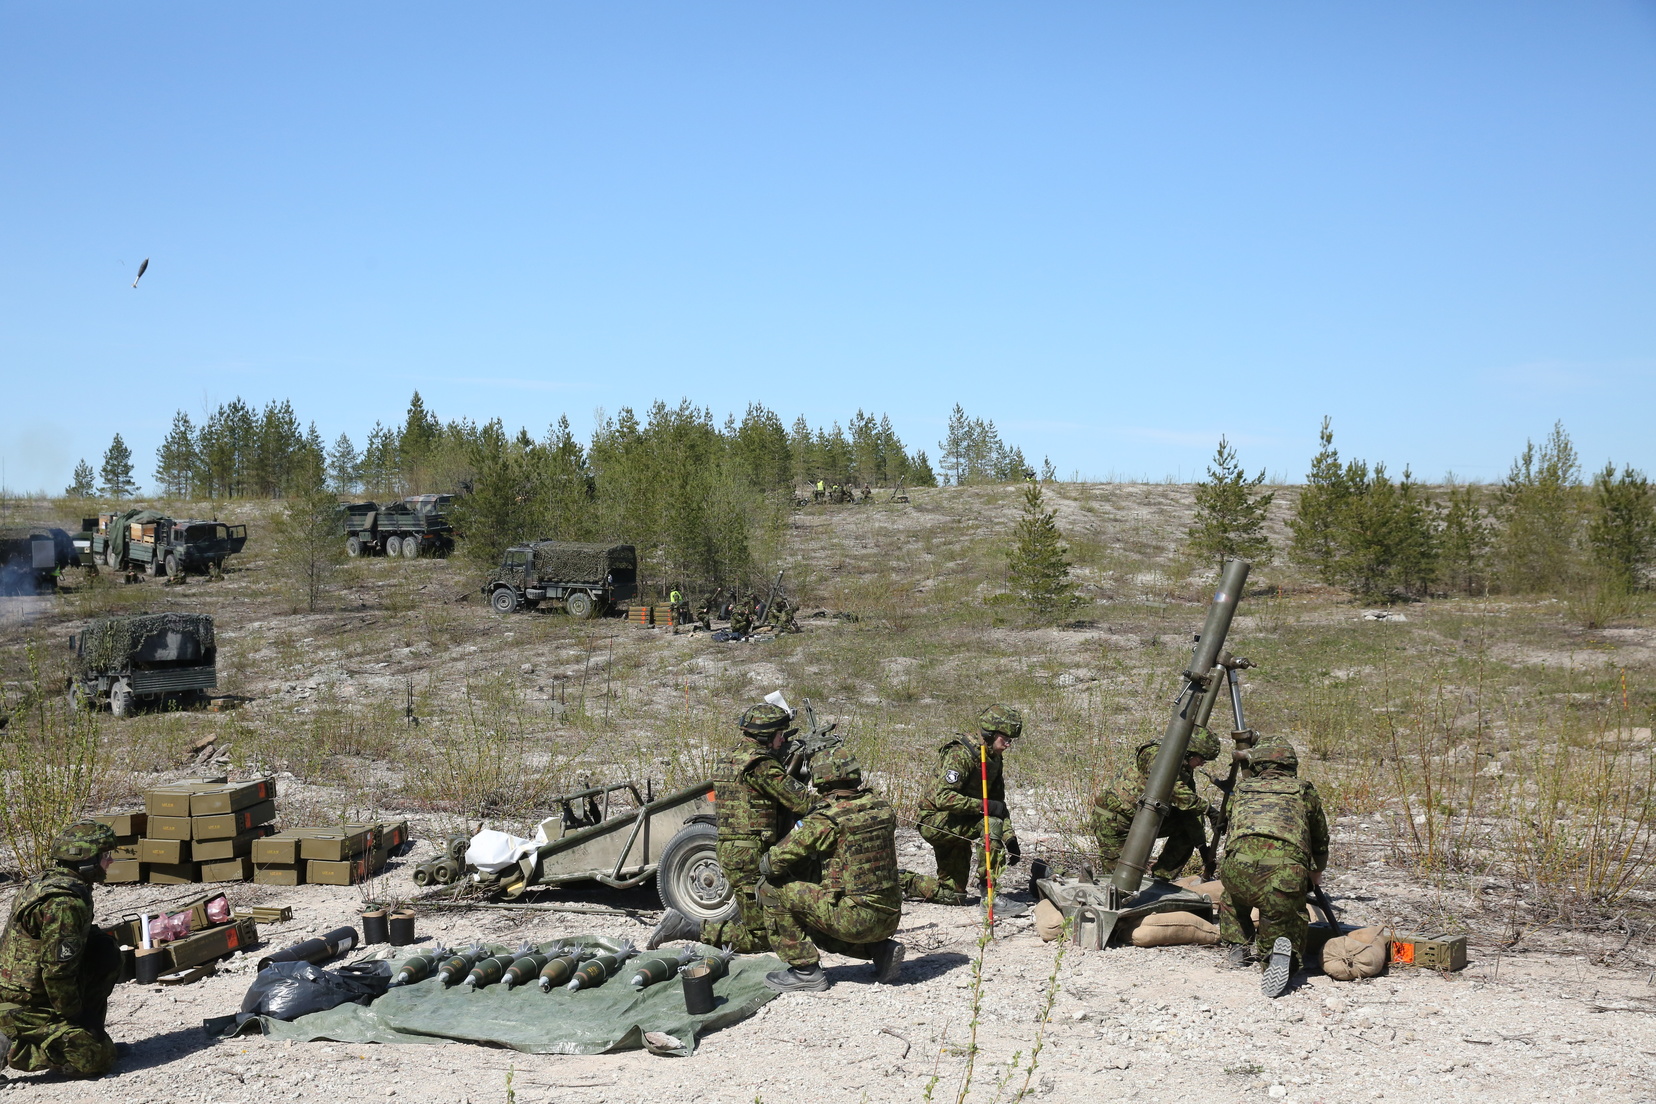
x: 587, y: 578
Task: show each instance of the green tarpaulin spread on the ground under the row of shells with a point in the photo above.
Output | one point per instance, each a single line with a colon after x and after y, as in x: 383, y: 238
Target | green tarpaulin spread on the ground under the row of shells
x: 612, y: 1017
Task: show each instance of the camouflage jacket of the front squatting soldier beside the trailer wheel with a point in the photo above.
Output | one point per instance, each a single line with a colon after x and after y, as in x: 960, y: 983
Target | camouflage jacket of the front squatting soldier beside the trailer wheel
x: 855, y: 842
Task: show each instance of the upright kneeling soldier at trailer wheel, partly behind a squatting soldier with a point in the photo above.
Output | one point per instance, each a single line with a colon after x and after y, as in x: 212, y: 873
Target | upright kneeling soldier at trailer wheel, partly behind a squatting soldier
x: 758, y: 802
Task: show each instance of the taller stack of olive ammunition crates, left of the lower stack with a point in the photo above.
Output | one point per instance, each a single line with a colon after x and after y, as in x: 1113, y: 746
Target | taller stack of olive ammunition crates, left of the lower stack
x: 193, y: 832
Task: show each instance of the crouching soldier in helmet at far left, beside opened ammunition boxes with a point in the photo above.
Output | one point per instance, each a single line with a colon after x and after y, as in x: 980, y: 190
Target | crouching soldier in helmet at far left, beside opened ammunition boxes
x: 57, y: 969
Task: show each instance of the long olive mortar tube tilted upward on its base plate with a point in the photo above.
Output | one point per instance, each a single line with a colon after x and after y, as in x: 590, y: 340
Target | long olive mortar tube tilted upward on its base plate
x: 1201, y: 688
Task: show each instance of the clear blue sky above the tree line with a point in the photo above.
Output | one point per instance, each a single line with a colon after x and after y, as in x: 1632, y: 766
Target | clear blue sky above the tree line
x: 1119, y: 231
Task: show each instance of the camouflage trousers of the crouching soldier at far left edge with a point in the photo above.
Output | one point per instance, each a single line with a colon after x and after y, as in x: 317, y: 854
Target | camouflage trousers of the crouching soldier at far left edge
x: 46, y: 1040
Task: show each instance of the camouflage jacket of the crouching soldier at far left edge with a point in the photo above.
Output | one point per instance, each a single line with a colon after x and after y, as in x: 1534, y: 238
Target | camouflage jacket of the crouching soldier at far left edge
x: 41, y: 953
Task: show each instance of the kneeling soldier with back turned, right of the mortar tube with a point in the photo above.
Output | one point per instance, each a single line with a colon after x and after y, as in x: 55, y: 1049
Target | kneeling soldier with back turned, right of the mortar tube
x: 1276, y: 853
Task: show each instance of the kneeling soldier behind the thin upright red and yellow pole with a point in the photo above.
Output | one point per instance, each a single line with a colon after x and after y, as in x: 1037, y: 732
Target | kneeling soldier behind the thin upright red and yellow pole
x: 953, y: 814
